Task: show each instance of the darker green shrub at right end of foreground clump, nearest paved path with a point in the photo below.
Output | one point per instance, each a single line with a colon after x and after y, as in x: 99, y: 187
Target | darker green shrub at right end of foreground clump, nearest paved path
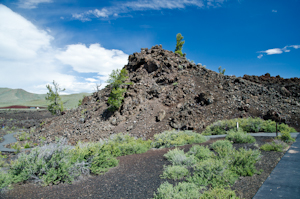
x: 243, y: 161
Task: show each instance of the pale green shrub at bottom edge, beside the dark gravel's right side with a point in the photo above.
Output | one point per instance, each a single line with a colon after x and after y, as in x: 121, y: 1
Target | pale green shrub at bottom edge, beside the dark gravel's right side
x: 181, y: 190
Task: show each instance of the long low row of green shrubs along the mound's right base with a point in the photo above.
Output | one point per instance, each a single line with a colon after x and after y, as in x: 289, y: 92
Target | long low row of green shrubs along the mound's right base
x: 249, y: 124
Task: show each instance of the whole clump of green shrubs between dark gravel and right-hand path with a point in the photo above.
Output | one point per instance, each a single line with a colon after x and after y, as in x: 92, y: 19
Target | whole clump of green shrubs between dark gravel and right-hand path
x: 211, y: 172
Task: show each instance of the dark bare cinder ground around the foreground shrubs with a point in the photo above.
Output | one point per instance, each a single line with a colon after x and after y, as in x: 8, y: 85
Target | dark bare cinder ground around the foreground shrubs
x: 137, y: 176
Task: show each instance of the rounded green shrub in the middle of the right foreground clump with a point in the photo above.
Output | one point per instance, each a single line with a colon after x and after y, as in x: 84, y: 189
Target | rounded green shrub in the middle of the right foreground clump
x: 213, y: 172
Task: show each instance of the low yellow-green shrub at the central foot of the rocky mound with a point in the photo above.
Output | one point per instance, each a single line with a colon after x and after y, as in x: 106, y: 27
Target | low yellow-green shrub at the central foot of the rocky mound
x: 176, y: 138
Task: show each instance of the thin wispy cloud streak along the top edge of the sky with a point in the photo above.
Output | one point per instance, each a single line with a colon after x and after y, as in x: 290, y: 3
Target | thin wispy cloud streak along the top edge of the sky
x: 143, y: 5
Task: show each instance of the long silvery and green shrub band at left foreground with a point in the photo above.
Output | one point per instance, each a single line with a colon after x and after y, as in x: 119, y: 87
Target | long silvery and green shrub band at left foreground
x: 59, y: 162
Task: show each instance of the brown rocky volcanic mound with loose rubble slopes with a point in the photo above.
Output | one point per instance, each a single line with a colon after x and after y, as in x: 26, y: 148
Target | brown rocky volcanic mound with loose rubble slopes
x: 169, y: 92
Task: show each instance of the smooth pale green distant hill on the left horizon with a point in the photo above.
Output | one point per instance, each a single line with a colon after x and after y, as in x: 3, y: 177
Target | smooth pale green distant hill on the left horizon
x: 9, y: 97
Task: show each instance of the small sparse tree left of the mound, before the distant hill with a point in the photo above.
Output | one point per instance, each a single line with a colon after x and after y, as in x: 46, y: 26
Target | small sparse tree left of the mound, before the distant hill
x: 56, y: 107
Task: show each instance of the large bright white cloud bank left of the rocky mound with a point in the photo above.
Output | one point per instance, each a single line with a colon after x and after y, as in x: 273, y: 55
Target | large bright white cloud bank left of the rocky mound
x: 29, y: 61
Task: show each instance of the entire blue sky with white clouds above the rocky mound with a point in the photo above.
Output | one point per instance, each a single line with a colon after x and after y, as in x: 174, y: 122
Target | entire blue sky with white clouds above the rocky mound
x: 78, y: 43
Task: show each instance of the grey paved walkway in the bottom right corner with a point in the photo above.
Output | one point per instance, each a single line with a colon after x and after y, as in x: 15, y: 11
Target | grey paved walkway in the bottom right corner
x: 284, y: 181
